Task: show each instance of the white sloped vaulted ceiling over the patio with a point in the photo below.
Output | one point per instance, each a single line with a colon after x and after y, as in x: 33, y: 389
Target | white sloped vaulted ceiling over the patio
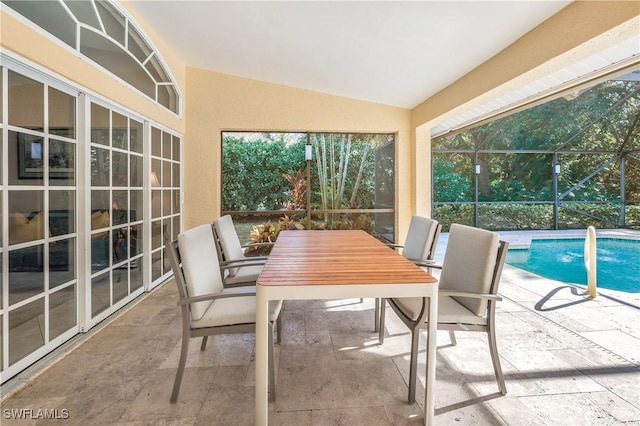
x: 395, y: 52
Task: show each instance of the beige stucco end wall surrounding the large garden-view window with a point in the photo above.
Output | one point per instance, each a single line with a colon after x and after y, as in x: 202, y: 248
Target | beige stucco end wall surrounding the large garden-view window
x: 217, y: 102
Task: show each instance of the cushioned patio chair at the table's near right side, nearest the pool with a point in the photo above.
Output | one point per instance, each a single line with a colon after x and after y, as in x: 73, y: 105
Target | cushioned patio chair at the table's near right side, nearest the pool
x: 467, y: 295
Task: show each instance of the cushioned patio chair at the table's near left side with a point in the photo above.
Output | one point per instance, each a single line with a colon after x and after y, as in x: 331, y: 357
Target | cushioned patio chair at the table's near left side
x: 207, y: 307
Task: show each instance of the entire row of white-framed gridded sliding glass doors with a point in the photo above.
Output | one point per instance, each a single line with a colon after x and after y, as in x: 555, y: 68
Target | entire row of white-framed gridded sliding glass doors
x: 88, y: 201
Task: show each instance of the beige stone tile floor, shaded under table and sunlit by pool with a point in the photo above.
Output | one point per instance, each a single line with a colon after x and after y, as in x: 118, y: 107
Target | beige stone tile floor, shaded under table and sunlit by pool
x: 566, y: 359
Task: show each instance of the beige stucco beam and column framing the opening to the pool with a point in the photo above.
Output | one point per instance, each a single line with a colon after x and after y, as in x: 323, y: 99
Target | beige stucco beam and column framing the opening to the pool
x: 578, y: 31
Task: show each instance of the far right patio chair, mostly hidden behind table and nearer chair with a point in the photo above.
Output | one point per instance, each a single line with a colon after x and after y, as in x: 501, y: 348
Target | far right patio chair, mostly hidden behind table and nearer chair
x: 419, y: 247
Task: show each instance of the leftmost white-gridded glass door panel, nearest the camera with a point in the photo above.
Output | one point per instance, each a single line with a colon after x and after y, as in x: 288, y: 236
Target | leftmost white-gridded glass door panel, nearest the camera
x: 38, y: 296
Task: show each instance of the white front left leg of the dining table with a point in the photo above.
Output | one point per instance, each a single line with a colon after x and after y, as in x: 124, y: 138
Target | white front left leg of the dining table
x: 262, y: 354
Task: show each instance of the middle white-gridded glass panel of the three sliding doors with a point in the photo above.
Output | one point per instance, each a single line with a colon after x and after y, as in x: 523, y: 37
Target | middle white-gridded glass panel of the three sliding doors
x: 116, y: 236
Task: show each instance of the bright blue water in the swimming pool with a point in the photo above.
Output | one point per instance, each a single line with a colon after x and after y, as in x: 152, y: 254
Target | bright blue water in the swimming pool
x: 618, y: 266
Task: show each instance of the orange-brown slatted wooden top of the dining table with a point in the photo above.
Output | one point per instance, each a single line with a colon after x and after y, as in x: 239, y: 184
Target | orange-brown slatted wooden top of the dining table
x: 336, y: 257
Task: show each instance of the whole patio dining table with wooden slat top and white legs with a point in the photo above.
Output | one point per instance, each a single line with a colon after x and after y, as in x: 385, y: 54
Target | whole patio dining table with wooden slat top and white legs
x: 334, y: 265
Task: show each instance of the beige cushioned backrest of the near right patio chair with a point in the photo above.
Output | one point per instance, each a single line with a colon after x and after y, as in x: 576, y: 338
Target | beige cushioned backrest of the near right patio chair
x: 472, y: 263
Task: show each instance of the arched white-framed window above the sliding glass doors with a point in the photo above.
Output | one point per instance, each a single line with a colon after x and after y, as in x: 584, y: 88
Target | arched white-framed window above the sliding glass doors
x: 101, y: 31
